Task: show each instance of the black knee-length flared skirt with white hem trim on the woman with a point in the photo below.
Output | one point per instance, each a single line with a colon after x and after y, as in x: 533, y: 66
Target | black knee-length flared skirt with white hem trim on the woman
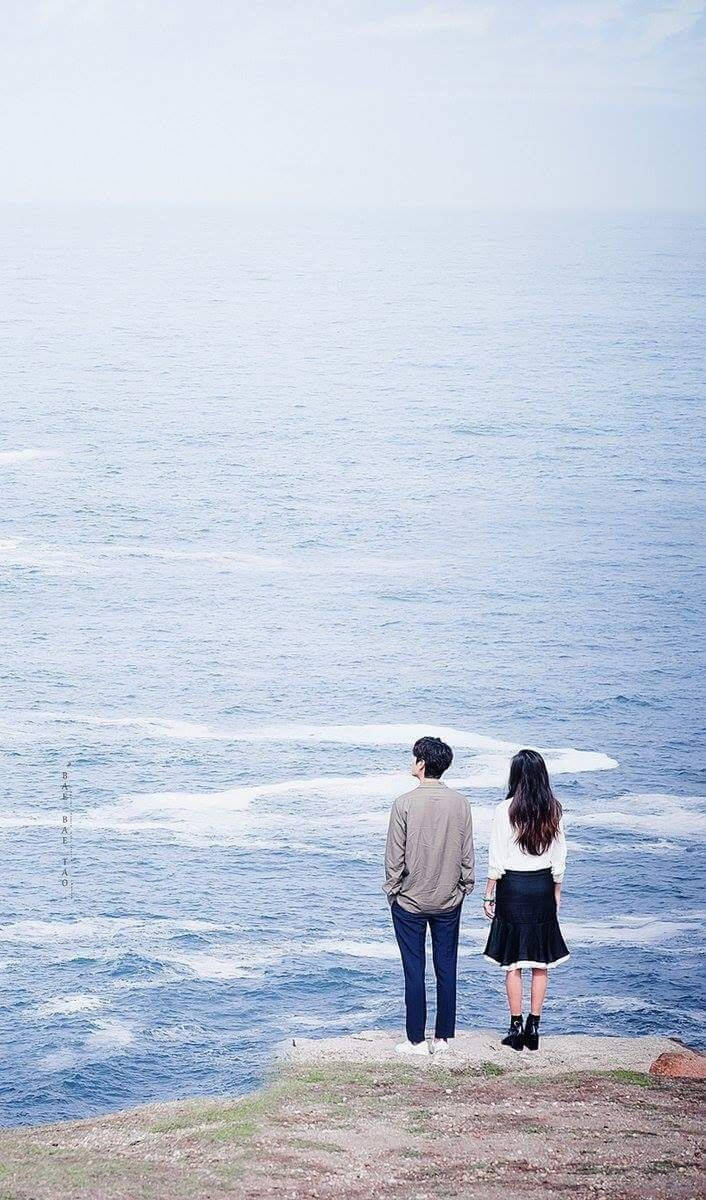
x: 525, y: 931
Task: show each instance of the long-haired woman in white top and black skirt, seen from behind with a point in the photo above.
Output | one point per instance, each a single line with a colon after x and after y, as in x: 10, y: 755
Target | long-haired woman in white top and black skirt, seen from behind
x: 528, y: 857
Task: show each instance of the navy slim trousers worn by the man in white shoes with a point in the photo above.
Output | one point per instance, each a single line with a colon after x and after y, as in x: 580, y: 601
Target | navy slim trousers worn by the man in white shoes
x: 411, y: 934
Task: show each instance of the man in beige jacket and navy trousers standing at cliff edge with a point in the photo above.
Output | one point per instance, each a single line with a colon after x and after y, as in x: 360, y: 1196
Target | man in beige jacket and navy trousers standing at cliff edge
x: 429, y: 871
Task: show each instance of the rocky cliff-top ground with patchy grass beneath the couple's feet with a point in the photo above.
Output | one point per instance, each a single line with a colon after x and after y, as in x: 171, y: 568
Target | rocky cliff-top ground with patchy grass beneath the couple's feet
x: 581, y: 1119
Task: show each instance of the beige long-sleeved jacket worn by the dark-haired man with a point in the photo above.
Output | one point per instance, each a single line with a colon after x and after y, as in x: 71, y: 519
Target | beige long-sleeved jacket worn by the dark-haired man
x: 429, y: 854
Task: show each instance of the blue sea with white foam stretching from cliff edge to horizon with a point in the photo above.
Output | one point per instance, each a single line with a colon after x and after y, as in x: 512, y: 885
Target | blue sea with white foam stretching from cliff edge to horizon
x: 278, y: 493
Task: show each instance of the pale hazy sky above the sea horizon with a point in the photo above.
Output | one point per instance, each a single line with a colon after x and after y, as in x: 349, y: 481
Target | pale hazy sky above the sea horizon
x: 518, y: 104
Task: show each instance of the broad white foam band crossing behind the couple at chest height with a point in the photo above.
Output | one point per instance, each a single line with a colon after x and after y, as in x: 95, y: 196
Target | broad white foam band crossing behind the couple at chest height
x: 328, y: 815
